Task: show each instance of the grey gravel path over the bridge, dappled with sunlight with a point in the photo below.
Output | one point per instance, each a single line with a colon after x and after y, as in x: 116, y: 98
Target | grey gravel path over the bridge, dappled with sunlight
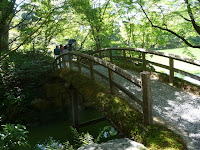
x: 173, y: 105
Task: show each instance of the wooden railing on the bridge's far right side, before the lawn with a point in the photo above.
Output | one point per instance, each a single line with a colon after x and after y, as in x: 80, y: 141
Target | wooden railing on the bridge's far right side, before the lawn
x: 126, y: 54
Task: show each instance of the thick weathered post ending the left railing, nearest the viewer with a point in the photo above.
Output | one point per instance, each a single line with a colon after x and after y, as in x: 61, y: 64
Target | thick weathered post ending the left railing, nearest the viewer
x: 147, y: 98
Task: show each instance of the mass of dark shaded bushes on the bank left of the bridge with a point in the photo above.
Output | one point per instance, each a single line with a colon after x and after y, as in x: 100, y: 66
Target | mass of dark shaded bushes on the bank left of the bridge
x: 22, y: 74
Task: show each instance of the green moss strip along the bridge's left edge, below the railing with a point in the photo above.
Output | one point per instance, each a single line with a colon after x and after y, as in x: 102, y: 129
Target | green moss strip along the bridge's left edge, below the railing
x: 122, y: 115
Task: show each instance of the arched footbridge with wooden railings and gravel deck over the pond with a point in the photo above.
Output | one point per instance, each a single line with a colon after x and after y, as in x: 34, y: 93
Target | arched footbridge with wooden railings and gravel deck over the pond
x: 151, y: 96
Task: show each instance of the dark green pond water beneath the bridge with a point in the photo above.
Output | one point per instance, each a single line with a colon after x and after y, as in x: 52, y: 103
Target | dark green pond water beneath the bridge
x: 60, y: 130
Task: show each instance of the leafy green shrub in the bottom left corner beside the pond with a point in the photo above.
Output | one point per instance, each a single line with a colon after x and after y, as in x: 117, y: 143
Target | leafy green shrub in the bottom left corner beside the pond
x: 13, y: 137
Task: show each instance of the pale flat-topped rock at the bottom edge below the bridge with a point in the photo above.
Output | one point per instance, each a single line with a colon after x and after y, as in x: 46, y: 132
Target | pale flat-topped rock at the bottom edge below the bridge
x: 116, y: 144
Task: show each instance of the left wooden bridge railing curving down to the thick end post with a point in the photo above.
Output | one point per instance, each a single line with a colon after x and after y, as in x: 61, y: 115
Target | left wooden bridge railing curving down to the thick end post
x: 67, y: 60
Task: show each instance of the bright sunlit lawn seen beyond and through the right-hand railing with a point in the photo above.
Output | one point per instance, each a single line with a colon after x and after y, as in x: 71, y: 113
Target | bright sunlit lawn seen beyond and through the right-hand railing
x: 186, y: 52
